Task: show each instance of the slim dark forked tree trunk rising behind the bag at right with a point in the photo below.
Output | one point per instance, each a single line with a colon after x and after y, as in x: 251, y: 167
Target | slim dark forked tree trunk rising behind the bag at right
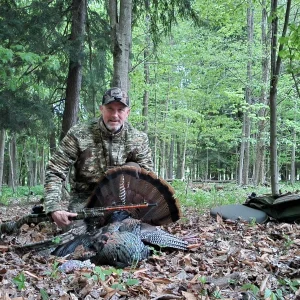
x: 275, y: 71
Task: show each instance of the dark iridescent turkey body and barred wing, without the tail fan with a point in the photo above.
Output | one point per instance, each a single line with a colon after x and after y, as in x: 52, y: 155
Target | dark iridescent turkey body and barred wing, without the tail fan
x: 121, y: 243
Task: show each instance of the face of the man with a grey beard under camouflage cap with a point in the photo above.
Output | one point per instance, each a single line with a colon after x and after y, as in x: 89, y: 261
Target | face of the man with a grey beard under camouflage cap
x: 114, y: 115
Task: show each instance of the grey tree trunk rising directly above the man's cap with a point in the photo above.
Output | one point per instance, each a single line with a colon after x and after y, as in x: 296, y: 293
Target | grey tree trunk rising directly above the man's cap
x: 120, y: 20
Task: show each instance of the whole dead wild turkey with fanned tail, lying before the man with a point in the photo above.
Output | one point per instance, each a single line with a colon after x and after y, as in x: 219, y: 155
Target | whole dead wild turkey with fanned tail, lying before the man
x: 121, y: 238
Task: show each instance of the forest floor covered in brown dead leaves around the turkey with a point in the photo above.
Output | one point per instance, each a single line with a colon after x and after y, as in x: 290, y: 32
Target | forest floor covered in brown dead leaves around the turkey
x: 228, y: 260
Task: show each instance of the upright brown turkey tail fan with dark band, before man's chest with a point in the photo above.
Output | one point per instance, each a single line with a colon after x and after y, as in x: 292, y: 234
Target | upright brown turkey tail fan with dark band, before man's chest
x: 129, y: 185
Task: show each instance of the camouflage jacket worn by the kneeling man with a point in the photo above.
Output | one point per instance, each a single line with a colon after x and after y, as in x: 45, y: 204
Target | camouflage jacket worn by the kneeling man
x: 91, y: 149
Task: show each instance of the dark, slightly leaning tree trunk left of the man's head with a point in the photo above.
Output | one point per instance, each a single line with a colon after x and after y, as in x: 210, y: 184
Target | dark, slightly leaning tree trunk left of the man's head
x: 70, y: 116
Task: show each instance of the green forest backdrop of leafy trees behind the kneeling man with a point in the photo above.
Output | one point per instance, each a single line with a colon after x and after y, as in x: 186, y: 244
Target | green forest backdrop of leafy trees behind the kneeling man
x: 199, y: 83
